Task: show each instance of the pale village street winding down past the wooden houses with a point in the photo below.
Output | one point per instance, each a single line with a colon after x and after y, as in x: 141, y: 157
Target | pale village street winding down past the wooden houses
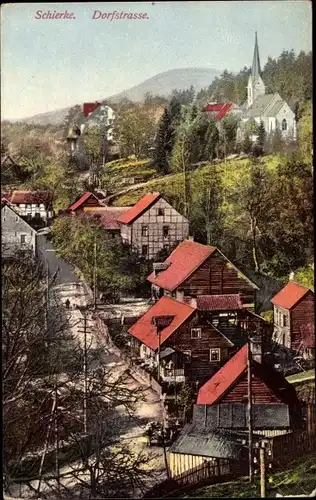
x: 68, y: 286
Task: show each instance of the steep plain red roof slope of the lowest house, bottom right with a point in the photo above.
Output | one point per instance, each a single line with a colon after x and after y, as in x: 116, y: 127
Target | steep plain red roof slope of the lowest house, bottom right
x: 216, y: 387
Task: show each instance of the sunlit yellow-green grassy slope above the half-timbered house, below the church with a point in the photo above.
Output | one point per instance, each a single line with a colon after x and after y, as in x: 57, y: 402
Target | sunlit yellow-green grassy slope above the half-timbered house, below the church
x: 172, y: 185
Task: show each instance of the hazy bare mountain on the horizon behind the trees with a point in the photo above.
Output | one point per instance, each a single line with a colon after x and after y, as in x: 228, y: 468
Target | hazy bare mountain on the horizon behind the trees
x: 161, y: 84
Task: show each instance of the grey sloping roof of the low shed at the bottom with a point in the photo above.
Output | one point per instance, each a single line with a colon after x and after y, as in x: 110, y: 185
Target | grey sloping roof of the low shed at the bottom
x: 194, y: 440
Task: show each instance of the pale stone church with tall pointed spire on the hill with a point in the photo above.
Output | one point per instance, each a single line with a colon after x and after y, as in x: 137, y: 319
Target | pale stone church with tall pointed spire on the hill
x: 270, y: 109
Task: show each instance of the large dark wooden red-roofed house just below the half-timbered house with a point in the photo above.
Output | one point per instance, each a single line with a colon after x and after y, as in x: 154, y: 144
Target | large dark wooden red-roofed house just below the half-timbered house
x: 193, y: 269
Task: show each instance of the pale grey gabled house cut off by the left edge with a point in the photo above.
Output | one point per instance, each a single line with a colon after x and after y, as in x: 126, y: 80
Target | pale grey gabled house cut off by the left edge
x: 16, y: 233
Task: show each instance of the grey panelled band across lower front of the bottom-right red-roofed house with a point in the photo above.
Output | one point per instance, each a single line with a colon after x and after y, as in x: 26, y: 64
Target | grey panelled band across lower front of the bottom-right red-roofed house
x: 227, y: 415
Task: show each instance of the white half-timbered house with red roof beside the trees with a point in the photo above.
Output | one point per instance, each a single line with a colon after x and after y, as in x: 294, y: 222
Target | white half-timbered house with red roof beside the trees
x: 152, y: 225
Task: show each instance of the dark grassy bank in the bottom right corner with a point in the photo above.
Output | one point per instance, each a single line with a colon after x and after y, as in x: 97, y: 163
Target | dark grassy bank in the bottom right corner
x: 299, y: 478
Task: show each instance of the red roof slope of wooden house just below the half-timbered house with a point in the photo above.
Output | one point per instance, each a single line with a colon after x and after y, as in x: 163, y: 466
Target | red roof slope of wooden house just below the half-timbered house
x: 184, y: 260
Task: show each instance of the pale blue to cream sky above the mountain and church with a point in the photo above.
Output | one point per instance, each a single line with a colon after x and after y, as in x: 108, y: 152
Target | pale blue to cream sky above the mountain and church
x: 48, y: 64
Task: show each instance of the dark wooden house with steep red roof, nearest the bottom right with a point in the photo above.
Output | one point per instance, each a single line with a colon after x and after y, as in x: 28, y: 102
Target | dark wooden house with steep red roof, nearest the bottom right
x: 276, y: 408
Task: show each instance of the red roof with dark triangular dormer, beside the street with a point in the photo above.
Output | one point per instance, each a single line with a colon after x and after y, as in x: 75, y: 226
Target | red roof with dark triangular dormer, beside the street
x: 144, y: 329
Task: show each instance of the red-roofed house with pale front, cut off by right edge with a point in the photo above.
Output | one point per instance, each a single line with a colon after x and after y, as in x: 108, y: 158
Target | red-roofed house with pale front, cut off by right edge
x: 294, y: 319
